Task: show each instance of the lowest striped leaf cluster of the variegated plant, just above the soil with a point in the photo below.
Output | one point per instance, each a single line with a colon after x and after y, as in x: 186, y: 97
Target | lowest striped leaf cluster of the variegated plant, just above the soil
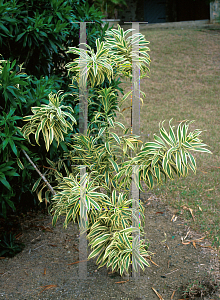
x: 111, y: 238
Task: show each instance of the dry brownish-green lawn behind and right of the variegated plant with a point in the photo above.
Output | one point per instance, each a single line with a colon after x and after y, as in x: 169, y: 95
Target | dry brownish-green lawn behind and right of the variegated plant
x: 184, y: 84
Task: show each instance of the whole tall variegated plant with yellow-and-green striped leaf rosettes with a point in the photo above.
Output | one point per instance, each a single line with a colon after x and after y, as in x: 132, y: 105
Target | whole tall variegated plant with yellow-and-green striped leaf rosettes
x: 107, y: 208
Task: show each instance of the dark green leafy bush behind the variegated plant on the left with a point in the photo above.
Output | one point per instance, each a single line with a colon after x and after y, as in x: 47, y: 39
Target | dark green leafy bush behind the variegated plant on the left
x: 34, y: 37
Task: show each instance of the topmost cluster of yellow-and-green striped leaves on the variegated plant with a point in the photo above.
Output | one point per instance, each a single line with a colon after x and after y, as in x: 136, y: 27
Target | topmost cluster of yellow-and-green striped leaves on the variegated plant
x: 118, y: 52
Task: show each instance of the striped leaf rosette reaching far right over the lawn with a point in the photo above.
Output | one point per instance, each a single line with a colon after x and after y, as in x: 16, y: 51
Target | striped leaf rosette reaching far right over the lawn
x: 168, y: 155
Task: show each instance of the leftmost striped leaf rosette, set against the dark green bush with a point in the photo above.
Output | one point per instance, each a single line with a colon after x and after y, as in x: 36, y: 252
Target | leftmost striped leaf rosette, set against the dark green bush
x: 50, y: 119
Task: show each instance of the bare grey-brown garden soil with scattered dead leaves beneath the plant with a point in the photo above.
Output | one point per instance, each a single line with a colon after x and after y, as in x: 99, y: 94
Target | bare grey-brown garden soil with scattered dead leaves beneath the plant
x: 179, y: 268
